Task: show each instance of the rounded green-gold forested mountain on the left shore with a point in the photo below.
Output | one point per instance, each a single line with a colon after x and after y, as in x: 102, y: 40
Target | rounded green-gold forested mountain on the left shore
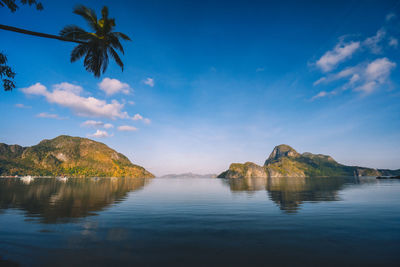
x: 66, y: 155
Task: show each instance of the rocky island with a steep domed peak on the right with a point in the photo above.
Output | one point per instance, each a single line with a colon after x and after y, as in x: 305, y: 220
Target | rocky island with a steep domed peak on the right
x: 284, y: 161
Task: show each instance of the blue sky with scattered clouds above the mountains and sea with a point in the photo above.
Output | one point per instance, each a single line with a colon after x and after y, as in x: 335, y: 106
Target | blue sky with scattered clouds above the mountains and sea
x: 208, y: 83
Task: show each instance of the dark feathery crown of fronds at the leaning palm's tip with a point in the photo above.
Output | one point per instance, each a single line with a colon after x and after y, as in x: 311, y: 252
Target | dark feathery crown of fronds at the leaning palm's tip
x: 98, y: 45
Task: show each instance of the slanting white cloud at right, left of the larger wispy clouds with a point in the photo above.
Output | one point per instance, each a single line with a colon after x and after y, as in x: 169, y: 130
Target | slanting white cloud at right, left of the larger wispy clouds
x: 340, y: 53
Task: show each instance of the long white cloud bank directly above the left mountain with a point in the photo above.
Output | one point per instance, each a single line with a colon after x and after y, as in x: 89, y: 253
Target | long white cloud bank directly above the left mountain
x: 67, y: 95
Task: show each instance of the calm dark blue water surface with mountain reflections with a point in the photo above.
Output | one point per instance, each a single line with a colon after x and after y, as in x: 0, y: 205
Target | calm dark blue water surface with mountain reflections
x: 200, y: 222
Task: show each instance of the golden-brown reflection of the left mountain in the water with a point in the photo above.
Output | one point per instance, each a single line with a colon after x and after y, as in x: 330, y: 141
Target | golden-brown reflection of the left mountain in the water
x: 56, y: 201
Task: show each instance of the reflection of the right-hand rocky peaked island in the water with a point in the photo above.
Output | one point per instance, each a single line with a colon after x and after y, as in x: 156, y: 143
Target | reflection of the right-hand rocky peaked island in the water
x: 290, y: 192
